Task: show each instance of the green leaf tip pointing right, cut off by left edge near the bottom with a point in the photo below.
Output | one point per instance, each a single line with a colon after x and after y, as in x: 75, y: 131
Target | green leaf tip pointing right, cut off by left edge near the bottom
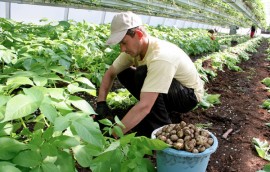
x: 10, y: 148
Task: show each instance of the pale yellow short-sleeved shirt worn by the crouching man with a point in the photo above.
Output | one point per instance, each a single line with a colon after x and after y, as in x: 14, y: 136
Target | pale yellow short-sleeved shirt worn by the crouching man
x: 164, y: 61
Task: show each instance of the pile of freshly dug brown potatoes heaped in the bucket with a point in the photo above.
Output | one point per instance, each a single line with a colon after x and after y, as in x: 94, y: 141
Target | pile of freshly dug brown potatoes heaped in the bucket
x: 186, y: 137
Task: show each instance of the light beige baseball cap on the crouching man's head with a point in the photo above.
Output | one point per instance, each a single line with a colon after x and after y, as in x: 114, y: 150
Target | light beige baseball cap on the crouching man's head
x: 120, y: 24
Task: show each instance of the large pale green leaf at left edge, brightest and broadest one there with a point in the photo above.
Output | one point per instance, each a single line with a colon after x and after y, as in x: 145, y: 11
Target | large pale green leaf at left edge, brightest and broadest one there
x: 20, y: 106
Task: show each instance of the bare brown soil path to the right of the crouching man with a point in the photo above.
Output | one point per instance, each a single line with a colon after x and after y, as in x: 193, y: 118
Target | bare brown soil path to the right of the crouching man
x: 241, y: 96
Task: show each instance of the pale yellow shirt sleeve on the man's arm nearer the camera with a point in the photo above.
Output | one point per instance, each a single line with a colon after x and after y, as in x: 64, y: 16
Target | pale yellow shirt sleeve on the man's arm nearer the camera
x: 159, y: 77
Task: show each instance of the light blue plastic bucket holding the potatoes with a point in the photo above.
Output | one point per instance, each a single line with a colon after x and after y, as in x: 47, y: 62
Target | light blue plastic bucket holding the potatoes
x: 172, y: 160
